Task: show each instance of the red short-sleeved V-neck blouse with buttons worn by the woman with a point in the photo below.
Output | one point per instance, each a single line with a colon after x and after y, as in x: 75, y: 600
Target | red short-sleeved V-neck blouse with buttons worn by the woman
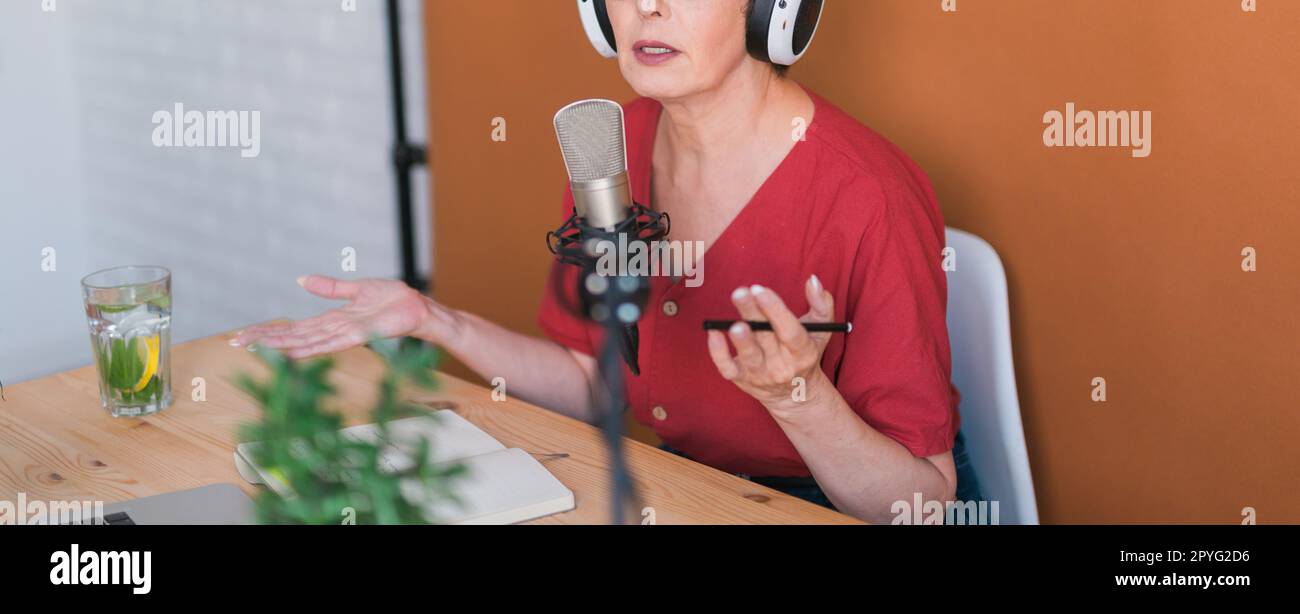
x: 846, y: 205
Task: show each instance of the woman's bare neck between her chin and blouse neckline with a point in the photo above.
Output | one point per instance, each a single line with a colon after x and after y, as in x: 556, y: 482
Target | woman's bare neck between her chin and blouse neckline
x: 752, y: 109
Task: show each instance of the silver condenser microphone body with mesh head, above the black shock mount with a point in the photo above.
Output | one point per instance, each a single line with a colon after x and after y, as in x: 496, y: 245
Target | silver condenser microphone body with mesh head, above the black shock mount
x: 595, y: 146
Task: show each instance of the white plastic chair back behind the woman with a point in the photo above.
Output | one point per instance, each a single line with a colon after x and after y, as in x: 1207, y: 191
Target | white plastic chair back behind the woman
x: 980, y: 328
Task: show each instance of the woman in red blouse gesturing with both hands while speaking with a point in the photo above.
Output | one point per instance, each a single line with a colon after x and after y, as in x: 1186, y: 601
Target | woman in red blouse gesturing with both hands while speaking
x: 830, y: 222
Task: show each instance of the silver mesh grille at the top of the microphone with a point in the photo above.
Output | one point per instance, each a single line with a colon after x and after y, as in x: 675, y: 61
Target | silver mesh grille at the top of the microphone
x: 592, y: 140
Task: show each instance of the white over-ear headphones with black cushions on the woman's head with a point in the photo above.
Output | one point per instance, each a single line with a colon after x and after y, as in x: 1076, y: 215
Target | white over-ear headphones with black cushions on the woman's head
x: 777, y: 32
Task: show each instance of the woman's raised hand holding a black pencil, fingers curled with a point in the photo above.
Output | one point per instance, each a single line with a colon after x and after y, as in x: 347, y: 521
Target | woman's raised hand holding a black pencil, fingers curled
x: 775, y: 366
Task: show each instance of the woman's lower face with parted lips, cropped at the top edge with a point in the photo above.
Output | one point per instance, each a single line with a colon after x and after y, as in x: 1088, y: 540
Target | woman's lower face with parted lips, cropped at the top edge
x: 674, y: 49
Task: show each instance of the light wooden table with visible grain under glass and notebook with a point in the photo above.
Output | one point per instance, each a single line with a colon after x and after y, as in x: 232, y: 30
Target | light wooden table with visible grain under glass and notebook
x: 58, y: 444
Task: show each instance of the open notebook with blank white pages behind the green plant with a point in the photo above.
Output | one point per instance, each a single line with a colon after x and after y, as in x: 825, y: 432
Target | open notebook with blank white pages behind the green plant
x: 501, y: 486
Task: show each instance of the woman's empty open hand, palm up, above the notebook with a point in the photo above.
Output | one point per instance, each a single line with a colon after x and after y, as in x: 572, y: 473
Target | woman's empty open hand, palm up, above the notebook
x: 376, y: 308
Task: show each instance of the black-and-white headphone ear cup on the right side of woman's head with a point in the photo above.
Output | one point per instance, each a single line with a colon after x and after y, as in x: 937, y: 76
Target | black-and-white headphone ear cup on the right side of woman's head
x: 781, y: 32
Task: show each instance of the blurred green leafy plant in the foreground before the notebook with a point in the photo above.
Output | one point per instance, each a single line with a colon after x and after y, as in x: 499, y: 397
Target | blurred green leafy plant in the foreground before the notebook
x: 336, y: 479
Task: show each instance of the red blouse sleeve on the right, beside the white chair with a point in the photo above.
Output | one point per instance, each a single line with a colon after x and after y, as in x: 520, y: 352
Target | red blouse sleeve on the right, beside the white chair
x: 896, y: 367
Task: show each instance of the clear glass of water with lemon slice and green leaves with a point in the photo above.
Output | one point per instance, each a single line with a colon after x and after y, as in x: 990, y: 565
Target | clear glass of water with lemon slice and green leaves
x: 129, y: 312
